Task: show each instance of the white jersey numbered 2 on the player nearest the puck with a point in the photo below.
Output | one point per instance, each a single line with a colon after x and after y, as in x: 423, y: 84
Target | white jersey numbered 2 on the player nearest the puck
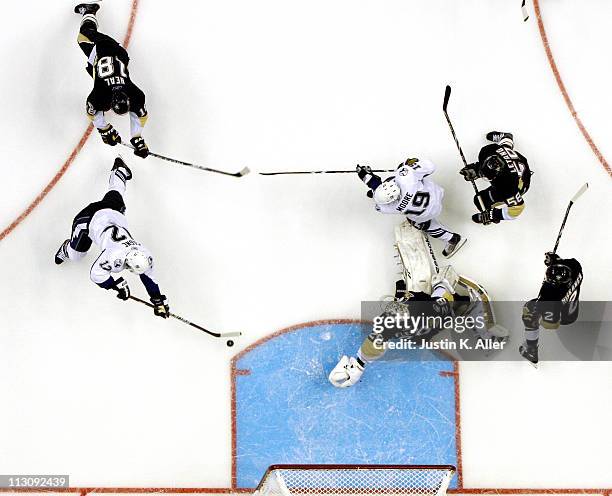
x: 109, y: 230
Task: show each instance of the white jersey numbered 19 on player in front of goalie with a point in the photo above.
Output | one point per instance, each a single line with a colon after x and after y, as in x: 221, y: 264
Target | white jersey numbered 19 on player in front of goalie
x: 420, y: 198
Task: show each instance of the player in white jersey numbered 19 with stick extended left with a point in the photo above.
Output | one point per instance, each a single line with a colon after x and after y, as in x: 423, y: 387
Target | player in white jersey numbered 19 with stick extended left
x: 412, y: 193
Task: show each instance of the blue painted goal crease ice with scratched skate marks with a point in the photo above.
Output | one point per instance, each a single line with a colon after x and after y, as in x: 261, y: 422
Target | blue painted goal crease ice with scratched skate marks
x: 286, y: 411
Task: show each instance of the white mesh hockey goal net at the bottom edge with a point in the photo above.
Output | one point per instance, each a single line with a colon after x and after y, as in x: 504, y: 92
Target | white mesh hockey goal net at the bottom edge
x: 332, y: 480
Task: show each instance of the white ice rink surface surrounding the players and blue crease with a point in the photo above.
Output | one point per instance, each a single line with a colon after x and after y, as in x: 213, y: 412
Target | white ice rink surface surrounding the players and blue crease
x: 101, y: 390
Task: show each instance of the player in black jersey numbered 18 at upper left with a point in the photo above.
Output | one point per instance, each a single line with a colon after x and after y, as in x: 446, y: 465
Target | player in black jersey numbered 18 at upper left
x: 107, y: 64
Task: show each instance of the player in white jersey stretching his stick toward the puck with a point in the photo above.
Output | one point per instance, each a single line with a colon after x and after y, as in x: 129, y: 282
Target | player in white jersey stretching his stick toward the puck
x: 104, y: 224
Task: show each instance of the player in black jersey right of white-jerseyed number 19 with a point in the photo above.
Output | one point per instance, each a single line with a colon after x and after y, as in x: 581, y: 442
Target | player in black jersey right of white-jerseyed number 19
x: 509, y: 175
